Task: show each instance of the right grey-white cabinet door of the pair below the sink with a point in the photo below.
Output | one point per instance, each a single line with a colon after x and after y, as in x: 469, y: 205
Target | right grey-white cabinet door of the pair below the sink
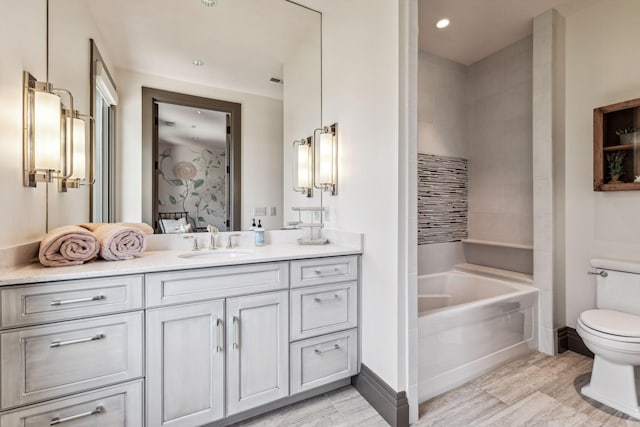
x: 257, y: 351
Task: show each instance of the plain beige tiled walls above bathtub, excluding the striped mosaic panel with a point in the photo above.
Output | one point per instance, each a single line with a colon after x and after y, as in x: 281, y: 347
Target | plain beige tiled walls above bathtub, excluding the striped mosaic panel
x: 483, y: 113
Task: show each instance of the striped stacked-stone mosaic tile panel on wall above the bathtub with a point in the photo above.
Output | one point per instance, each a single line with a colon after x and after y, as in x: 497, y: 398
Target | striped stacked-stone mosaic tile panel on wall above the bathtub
x: 442, y: 199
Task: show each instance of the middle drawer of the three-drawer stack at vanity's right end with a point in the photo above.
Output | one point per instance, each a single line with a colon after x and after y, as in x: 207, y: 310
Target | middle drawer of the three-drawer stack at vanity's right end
x: 323, y: 309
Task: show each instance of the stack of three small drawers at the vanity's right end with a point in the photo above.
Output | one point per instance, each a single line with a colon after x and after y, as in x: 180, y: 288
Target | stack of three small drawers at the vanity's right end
x: 324, y: 321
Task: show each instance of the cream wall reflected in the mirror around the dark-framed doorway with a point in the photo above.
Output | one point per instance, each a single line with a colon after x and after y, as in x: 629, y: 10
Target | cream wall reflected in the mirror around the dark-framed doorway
x: 262, y: 166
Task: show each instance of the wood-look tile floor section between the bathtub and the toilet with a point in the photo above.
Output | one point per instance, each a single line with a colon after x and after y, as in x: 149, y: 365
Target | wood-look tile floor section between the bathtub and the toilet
x: 534, y: 390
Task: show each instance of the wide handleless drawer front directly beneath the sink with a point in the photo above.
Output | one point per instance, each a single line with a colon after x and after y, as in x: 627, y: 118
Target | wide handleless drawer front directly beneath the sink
x: 177, y: 287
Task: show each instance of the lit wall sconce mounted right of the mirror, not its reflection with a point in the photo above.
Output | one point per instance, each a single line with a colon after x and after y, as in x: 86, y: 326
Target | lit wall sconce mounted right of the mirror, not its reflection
x: 326, y: 159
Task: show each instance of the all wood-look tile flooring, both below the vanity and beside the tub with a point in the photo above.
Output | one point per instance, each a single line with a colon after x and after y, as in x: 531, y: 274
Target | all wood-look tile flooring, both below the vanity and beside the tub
x: 534, y: 390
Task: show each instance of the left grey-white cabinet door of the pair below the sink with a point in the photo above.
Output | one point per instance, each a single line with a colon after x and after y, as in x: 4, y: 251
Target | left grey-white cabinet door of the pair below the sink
x: 185, y: 364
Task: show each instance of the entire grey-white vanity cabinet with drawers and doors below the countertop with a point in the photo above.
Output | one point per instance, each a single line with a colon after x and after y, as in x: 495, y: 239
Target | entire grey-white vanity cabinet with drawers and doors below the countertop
x: 180, y: 348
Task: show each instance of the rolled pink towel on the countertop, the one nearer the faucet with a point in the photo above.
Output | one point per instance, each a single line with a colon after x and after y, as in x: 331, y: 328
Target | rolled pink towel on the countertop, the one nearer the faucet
x: 117, y: 241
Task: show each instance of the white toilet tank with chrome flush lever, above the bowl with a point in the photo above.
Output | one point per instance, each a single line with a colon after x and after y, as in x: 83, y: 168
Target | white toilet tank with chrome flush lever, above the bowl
x: 619, y: 290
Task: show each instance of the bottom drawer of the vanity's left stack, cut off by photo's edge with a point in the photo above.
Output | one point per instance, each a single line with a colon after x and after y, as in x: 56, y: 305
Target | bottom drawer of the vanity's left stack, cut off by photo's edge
x: 119, y: 406
